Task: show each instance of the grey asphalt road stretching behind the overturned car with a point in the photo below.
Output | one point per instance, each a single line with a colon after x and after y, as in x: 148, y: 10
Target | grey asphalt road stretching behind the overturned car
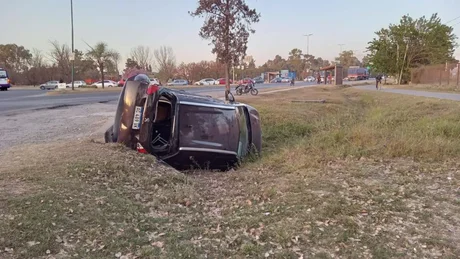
x: 20, y: 100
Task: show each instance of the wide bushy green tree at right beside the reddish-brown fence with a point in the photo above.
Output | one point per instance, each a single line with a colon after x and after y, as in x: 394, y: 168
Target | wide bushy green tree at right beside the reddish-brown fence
x: 411, y: 43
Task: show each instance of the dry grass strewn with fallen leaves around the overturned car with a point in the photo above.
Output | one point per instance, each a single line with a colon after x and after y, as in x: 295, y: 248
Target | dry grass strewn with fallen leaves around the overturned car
x: 366, y: 174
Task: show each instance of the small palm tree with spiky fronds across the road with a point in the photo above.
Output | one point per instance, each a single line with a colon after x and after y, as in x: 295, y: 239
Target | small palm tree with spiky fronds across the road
x: 102, y: 56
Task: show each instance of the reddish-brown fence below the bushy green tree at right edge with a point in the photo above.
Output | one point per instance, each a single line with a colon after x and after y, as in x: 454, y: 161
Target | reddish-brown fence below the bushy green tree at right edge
x: 442, y: 74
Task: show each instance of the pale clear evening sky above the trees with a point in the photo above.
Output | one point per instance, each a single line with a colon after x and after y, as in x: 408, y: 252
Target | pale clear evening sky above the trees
x: 124, y: 24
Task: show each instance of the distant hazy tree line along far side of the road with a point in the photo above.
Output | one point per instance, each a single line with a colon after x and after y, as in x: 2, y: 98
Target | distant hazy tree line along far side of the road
x: 34, y: 67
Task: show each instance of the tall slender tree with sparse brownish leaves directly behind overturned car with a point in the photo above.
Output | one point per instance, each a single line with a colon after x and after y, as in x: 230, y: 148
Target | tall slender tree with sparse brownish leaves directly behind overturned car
x: 227, y: 25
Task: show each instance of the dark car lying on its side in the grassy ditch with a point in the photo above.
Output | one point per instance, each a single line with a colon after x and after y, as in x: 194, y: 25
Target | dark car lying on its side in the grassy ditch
x: 185, y: 130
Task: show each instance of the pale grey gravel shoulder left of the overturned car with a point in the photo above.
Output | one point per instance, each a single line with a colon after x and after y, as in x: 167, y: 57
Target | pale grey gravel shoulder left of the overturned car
x: 41, y: 126
